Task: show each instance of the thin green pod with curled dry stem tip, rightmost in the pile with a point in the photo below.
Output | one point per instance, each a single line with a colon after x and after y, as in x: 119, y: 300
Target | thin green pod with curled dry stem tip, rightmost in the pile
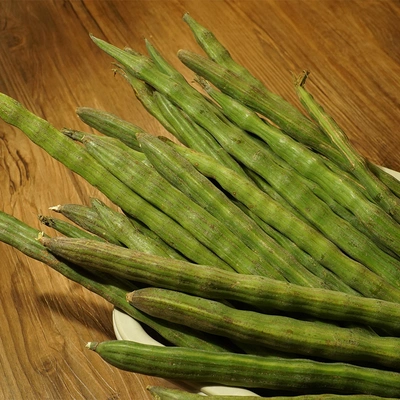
x: 378, y: 191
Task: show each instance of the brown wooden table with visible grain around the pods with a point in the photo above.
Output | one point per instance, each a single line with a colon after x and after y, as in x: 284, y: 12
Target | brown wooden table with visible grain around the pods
x: 49, y: 63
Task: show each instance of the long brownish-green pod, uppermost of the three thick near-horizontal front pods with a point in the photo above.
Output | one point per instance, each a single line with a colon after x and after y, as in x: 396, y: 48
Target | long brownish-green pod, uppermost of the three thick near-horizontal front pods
x: 214, y: 283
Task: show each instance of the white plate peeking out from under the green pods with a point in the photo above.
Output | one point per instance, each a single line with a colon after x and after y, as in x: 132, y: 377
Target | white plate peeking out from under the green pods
x: 126, y: 328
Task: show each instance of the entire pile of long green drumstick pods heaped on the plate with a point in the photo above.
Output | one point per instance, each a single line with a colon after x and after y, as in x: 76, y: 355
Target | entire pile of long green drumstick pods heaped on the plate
x: 233, y: 223
